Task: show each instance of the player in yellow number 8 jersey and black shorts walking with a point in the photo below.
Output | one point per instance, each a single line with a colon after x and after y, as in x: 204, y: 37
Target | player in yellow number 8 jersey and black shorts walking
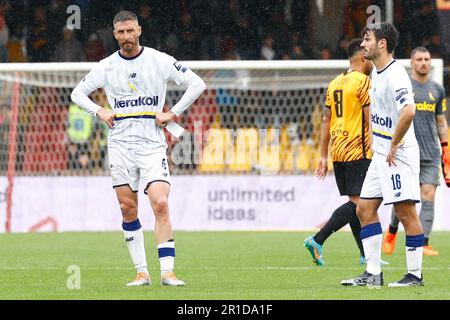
x: 346, y: 121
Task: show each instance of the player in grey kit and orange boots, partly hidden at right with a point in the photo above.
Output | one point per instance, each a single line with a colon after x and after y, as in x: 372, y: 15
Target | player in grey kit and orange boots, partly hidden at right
x: 430, y: 126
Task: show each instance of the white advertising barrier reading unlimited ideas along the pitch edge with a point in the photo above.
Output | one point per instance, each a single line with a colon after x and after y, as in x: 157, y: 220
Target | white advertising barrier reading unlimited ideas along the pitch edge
x: 196, y: 203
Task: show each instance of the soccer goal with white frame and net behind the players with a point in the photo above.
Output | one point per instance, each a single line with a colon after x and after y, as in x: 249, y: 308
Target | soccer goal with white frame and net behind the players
x: 255, y: 117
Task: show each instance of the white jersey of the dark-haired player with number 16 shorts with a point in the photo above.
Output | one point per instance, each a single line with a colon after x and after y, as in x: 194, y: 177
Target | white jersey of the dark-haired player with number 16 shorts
x: 391, y: 91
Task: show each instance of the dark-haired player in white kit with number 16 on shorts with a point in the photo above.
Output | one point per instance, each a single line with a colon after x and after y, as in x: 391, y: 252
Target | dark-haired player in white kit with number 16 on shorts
x: 393, y: 175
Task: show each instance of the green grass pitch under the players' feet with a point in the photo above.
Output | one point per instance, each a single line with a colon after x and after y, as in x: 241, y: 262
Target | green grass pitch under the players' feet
x: 215, y: 265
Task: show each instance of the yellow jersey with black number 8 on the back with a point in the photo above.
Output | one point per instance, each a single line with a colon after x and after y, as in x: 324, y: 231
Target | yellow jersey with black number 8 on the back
x: 347, y: 95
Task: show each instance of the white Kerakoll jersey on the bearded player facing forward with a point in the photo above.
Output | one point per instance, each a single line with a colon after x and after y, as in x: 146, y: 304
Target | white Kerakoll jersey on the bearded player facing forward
x: 136, y: 90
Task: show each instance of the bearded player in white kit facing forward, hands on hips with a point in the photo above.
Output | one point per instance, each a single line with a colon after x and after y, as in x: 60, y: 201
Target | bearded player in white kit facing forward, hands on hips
x: 135, y: 81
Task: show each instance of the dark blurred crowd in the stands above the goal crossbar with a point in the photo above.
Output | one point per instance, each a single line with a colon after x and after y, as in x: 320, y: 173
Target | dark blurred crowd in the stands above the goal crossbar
x: 35, y: 30
